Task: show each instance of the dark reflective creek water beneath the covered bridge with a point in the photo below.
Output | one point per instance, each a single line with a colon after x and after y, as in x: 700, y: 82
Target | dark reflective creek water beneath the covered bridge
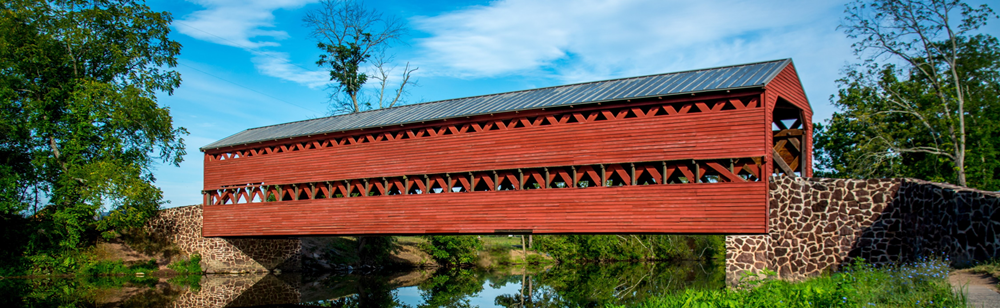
x: 574, y: 285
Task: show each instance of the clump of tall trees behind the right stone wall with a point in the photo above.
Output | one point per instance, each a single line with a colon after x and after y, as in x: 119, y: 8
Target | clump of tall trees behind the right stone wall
x: 906, y: 109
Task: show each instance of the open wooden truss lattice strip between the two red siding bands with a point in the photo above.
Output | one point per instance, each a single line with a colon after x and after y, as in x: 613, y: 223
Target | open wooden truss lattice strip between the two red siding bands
x: 556, y: 177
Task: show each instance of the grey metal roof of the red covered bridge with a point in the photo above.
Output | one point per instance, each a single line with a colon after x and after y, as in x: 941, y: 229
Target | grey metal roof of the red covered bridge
x: 749, y: 75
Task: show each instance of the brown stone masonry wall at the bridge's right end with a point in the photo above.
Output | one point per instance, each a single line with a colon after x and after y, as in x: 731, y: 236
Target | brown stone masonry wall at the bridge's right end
x: 817, y: 225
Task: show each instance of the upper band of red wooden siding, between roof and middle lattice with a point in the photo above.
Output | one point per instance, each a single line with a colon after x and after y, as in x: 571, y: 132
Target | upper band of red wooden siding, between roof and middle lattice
x: 705, y: 135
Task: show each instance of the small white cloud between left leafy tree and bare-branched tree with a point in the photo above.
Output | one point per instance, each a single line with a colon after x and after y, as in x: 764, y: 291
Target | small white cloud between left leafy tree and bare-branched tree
x: 249, y: 25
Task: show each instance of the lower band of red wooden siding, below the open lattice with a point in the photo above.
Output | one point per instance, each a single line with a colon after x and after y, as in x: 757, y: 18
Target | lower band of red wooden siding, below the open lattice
x: 721, y: 208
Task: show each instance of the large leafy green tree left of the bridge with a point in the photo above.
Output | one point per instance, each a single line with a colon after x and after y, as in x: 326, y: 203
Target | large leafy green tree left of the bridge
x: 82, y: 128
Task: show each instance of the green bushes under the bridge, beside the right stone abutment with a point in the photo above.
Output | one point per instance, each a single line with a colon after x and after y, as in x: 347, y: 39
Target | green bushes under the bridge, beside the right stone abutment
x: 630, y: 247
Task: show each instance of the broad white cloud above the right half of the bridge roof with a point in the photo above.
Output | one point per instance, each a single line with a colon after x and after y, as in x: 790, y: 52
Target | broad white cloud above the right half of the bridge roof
x: 605, y: 37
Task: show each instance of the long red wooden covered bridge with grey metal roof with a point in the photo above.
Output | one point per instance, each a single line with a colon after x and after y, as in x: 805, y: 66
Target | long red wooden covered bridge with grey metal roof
x: 684, y: 152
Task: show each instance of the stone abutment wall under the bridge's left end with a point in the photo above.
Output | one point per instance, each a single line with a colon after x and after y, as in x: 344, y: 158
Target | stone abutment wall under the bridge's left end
x: 182, y: 226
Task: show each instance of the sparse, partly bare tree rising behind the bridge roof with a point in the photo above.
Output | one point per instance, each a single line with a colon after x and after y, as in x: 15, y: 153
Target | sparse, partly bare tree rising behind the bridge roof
x: 352, y: 36
